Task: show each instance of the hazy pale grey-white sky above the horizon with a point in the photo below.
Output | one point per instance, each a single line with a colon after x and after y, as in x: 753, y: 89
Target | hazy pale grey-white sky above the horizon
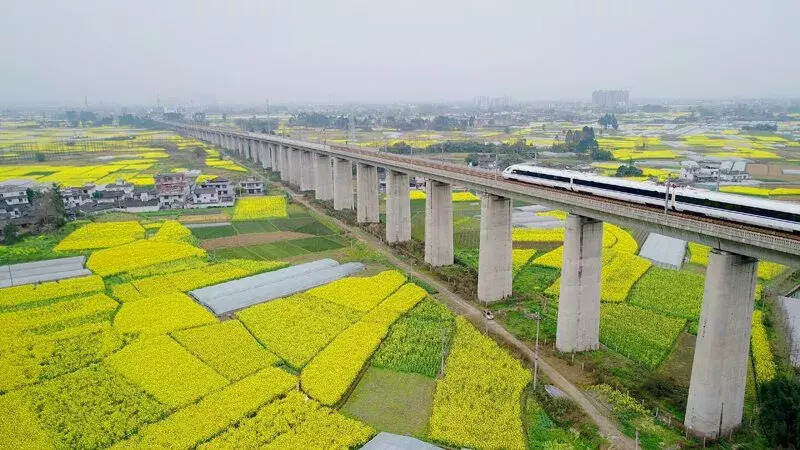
x: 376, y: 51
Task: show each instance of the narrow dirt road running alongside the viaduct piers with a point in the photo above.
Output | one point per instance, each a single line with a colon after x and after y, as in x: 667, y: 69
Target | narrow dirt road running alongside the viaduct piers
x: 607, y: 426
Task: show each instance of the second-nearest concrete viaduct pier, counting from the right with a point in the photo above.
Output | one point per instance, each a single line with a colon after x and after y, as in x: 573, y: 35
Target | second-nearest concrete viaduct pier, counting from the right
x: 578, y: 327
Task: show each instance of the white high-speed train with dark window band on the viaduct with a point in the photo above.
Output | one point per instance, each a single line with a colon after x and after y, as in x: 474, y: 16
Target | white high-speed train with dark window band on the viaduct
x: 736, y: 208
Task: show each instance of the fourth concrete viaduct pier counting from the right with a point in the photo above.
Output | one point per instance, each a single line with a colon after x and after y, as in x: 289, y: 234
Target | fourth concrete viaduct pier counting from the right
x: 438, y: 223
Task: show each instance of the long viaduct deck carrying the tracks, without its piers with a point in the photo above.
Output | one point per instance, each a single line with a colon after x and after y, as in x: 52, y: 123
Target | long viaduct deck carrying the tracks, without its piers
x: 758, y: 242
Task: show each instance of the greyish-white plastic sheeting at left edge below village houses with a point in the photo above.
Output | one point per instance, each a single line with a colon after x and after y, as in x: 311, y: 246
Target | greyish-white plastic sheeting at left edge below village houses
x: 38, y: 271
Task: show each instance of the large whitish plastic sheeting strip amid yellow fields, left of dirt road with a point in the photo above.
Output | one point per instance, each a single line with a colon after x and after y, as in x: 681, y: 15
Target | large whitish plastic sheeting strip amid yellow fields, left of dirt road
x: 244, y: 292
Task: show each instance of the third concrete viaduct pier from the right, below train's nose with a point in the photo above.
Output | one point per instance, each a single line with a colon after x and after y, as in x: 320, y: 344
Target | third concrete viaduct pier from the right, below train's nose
x: 494, y: 255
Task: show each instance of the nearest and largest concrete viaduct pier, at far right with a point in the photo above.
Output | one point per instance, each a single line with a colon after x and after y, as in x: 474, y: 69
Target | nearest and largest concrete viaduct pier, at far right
x: 719, y: 369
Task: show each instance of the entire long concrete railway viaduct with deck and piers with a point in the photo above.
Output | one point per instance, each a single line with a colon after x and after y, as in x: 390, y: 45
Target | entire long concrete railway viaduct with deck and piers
x: 716, y: 392
